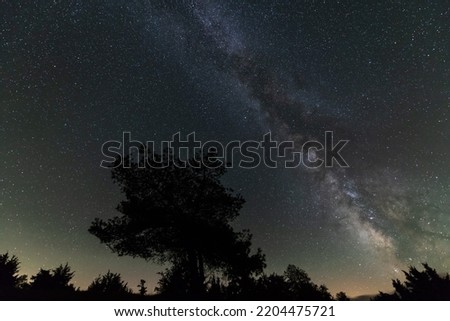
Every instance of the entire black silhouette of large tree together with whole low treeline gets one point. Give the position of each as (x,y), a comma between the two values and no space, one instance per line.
(181,216)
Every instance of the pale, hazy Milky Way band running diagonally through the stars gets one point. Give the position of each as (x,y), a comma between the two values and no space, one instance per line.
(371,206)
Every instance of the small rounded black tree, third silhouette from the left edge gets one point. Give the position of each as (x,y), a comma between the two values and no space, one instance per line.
(109,285)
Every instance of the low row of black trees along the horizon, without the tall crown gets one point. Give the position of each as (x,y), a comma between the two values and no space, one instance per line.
(293,284)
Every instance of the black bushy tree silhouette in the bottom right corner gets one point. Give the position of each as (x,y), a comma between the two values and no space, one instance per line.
(420,285)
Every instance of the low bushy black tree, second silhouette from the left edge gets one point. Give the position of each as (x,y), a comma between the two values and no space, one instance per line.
(53,283)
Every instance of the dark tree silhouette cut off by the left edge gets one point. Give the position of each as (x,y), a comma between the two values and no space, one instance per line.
(10,280)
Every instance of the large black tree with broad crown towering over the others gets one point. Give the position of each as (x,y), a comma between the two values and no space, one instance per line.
(180,214)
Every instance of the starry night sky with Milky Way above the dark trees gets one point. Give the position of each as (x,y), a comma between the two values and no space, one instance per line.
(75,74)
